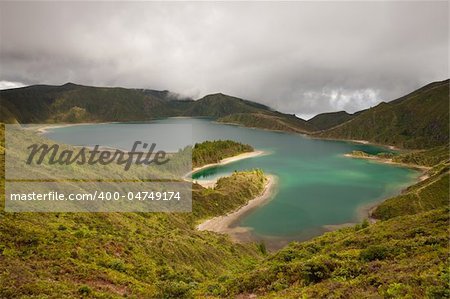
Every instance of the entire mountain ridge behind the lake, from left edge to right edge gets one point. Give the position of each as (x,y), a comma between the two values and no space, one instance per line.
(417,120)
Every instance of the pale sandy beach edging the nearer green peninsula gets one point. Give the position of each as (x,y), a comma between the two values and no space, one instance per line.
(224,224)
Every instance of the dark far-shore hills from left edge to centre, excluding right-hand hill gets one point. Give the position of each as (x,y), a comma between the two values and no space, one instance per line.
(71,103)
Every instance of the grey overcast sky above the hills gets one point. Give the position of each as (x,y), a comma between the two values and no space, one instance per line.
(297,57)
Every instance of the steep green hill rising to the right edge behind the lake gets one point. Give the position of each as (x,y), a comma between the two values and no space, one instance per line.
(418,120)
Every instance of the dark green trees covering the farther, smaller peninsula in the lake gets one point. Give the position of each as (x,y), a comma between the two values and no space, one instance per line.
(209,152)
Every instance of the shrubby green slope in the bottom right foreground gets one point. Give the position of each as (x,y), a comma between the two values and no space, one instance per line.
(406,257)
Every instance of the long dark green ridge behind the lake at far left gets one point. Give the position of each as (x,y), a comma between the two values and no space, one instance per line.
(76,103)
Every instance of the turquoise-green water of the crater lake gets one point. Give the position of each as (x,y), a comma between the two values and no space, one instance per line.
(317,185)
